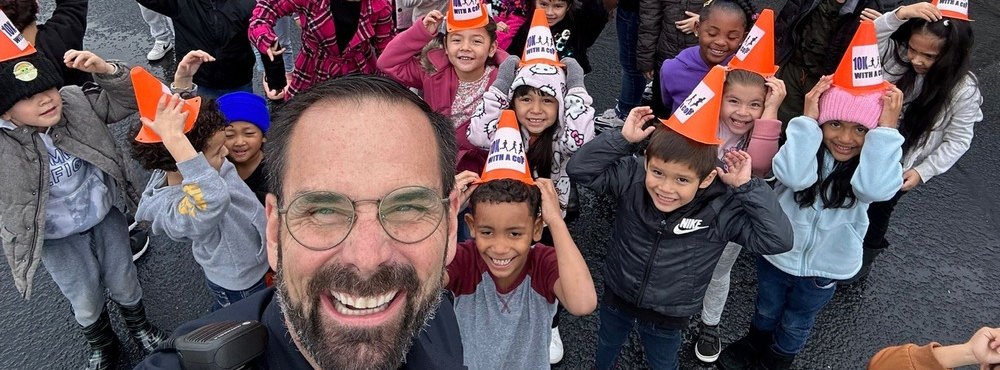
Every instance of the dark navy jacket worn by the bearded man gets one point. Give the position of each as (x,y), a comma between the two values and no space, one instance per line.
(438,346)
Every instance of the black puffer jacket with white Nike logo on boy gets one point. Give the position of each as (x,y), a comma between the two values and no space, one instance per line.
(664,261)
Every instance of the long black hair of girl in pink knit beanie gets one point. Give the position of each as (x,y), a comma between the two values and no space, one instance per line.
(835,189)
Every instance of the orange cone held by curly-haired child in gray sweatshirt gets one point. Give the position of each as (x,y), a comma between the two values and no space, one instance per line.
(148,90)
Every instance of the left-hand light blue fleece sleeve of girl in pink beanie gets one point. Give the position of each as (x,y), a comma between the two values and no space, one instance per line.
(795,164)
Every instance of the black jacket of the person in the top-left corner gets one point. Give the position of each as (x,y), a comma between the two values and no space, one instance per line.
(62,32)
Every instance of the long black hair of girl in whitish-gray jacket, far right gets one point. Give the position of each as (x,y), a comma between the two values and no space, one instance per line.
(947,72)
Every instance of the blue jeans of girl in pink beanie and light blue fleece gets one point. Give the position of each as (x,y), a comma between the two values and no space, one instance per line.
(788,305)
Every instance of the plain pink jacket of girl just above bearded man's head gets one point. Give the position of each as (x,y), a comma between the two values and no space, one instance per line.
(401,62)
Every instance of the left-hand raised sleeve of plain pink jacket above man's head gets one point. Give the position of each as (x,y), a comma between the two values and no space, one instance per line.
(400,59)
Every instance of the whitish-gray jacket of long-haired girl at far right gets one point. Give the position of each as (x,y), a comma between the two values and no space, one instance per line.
(951,134)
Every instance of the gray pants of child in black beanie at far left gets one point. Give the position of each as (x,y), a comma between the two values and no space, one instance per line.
(84,264)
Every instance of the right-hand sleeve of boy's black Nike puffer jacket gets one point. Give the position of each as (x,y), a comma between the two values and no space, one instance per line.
(757,221)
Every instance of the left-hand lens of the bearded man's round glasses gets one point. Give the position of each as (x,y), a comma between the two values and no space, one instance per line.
(320,220)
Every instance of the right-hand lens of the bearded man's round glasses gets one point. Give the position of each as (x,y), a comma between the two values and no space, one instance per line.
(411,214)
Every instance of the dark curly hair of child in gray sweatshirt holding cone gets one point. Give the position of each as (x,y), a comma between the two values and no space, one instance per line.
(154,156)
